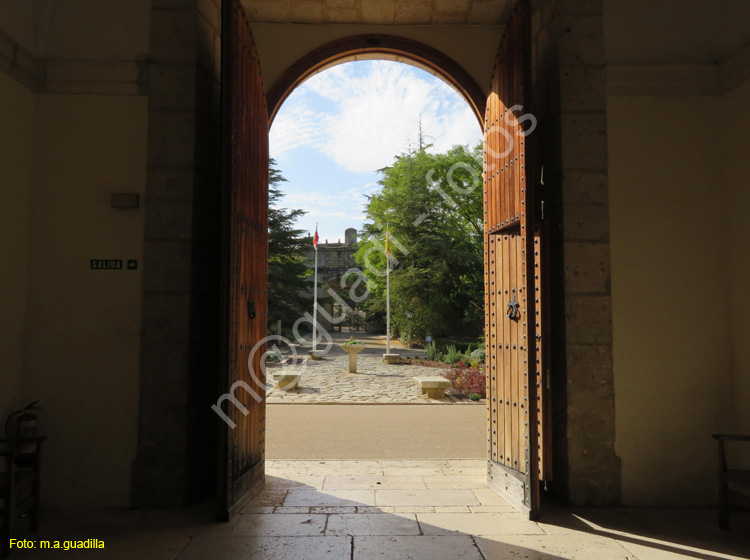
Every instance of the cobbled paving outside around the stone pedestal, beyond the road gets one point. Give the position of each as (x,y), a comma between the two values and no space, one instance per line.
(328,382)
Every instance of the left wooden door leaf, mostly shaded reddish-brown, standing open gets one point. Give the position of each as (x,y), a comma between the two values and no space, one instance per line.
(245,262)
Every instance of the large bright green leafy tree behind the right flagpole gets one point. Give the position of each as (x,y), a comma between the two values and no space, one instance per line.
(432,204)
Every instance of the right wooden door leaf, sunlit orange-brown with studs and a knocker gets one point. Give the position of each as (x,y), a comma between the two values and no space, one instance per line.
(513,279)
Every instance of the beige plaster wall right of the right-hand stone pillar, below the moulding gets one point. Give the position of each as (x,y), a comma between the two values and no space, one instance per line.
(680,316)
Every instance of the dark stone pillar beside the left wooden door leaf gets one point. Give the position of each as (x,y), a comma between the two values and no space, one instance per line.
(182,266)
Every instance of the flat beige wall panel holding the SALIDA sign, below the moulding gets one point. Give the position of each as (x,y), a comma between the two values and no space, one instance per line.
(82,325)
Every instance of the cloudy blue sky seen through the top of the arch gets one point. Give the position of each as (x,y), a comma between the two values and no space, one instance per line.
(339,127)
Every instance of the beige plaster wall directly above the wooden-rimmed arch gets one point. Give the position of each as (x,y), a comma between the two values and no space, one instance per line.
(473,47)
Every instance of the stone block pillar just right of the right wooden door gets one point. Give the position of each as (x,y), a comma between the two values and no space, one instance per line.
(570,102)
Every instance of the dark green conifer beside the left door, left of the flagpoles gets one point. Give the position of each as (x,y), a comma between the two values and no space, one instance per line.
(288,286)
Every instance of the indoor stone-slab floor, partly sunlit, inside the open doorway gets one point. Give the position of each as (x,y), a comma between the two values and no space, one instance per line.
(409,509)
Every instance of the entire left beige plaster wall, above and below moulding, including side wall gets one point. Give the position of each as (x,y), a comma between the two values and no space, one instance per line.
(70,336)
